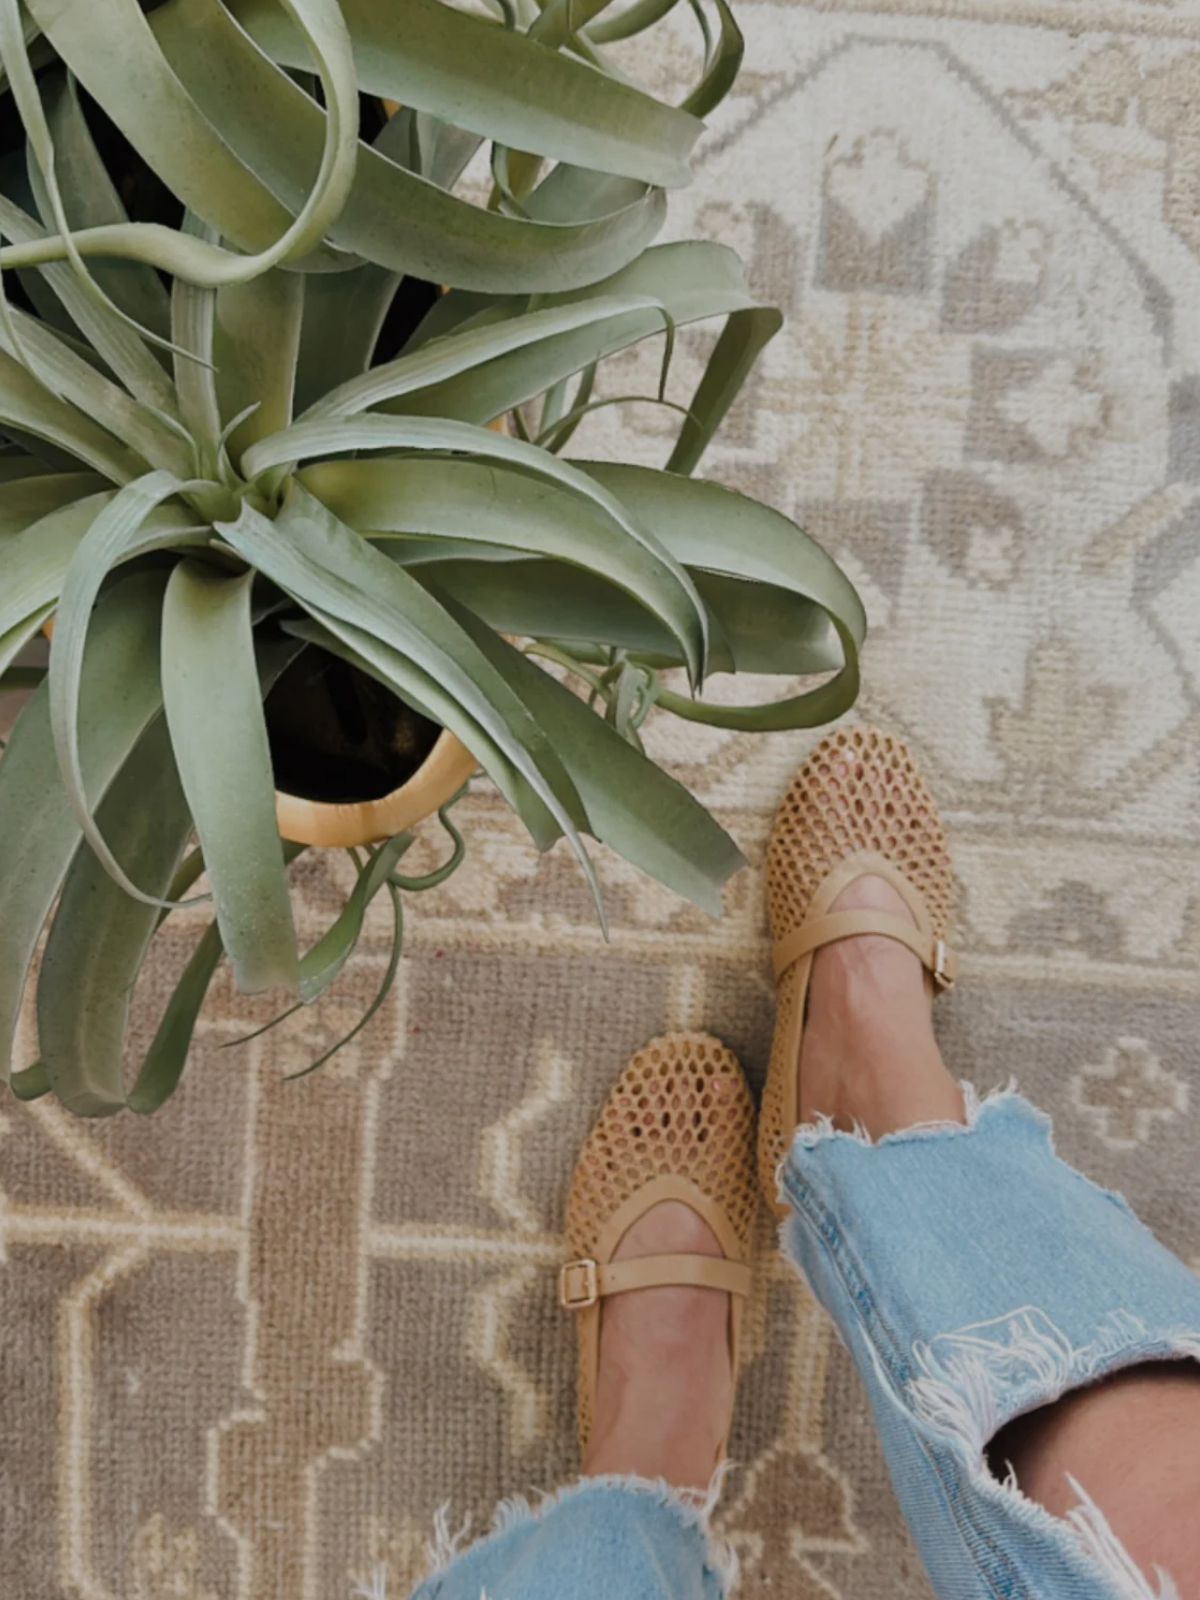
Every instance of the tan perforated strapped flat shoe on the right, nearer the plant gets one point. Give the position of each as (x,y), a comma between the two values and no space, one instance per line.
(857,809)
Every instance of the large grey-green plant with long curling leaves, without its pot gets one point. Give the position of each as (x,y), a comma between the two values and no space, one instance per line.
(214,462)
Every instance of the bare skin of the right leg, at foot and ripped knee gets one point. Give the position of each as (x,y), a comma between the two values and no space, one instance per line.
(1132,1441)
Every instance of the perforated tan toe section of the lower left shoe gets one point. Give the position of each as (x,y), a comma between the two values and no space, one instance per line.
(670,1118)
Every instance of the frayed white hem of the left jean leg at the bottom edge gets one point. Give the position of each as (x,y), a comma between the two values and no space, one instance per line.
(694,1508)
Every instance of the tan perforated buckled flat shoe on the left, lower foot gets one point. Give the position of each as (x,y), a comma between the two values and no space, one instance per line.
(666,1134)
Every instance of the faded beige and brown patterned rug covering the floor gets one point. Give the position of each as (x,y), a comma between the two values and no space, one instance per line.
(252,1346)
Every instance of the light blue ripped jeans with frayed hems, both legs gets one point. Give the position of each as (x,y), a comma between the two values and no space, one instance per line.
(974,1278)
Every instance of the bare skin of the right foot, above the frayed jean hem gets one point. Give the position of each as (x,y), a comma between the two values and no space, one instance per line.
(868,1054)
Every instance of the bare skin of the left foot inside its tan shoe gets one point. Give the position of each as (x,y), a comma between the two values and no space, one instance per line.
(665,1388)
